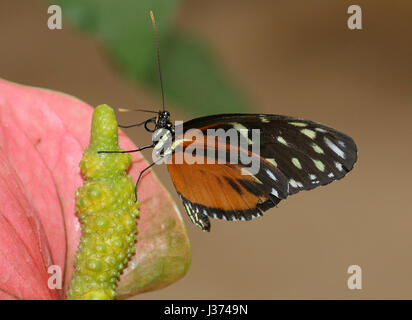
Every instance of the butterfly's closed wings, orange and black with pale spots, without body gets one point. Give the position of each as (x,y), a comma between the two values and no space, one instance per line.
(300,154)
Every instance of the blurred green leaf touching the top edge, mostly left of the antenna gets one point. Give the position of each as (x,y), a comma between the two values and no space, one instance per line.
(123,26)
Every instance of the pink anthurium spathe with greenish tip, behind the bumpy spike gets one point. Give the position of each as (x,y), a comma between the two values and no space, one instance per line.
(43,135)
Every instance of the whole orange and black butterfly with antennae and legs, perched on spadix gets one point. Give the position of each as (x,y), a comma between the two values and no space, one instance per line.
(294,154)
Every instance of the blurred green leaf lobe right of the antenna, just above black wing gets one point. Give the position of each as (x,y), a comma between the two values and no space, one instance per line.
(194,81)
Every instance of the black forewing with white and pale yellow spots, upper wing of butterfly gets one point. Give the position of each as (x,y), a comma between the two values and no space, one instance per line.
(307,153)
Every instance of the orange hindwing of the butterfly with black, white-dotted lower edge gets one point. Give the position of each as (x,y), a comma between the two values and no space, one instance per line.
(223,191)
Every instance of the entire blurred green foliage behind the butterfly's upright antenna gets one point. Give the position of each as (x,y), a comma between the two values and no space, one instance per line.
(192,78)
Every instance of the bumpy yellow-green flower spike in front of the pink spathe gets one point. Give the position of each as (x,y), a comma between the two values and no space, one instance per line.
(108,213)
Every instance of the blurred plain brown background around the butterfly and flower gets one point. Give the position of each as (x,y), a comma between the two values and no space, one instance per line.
(291,57)
